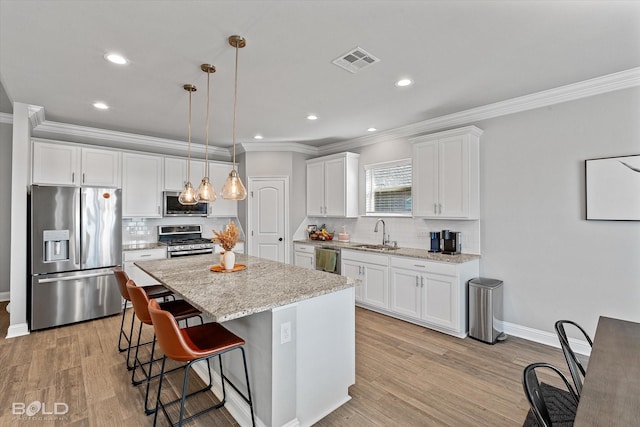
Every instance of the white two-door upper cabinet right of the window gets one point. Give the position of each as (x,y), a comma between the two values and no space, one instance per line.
(446,174)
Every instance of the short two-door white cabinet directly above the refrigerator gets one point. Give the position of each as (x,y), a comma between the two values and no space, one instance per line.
(65,164)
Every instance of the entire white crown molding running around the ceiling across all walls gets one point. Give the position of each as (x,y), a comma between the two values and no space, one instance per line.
(596,86)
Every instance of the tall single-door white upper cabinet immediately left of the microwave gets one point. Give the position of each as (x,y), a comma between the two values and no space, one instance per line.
(141,185)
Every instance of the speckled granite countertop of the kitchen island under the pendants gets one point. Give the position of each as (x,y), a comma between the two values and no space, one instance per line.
(262,286)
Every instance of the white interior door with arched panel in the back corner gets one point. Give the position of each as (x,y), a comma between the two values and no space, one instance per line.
(268,218)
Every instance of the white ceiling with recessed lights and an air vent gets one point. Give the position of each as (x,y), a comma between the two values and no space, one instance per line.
(460,55)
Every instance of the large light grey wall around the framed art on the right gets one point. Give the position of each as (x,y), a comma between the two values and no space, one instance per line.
(554,263)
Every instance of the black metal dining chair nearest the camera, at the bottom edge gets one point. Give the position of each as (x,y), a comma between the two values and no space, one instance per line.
(550,406)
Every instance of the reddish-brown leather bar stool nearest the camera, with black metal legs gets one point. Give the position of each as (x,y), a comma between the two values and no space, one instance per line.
(191,345)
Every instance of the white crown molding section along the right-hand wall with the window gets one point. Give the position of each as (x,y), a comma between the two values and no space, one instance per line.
(596,86)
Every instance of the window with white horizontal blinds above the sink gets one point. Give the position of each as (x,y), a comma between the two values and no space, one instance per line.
(388,188)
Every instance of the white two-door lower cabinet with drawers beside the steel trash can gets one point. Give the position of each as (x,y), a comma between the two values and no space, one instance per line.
(433,294)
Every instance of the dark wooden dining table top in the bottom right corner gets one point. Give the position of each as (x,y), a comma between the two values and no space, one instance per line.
(611,391)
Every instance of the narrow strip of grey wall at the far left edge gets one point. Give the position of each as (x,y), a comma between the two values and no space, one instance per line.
(6,131)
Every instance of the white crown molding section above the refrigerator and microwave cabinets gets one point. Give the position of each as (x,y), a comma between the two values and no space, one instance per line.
(129,140)
